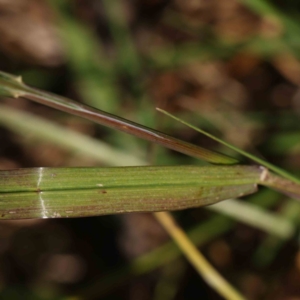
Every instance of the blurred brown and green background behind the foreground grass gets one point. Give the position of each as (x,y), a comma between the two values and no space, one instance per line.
(230,67)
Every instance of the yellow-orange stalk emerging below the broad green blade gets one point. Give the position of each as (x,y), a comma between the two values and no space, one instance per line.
(204,268)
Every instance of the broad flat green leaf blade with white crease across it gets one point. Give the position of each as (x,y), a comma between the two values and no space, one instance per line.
(78,192)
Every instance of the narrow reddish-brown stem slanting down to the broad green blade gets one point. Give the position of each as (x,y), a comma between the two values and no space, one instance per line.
(14,87)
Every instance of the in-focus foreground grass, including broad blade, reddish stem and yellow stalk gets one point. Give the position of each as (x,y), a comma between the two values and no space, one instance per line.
(54,193)
